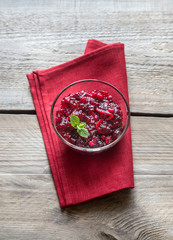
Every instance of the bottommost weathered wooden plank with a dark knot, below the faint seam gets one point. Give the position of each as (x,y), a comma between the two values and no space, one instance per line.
(29,209)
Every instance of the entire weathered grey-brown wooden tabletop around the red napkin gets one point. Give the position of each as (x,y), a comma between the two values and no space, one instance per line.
(40,34)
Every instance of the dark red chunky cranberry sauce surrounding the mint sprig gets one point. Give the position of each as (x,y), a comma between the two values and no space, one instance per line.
(102,116)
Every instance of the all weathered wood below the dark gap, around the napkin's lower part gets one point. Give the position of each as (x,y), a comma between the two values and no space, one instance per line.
(29,207)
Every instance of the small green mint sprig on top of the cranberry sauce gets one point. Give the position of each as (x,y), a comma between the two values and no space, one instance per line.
(80,126)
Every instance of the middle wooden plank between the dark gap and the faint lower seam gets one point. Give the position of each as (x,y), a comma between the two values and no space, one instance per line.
(22,149)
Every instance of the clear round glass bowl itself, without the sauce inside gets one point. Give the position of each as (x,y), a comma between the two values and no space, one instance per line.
(89,85)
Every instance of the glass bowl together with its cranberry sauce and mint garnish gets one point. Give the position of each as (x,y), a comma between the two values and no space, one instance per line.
(90,115)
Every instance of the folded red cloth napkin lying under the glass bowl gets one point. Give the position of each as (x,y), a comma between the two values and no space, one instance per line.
(77,177)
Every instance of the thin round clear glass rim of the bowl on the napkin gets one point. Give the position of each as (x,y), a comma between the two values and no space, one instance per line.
(91,149)
